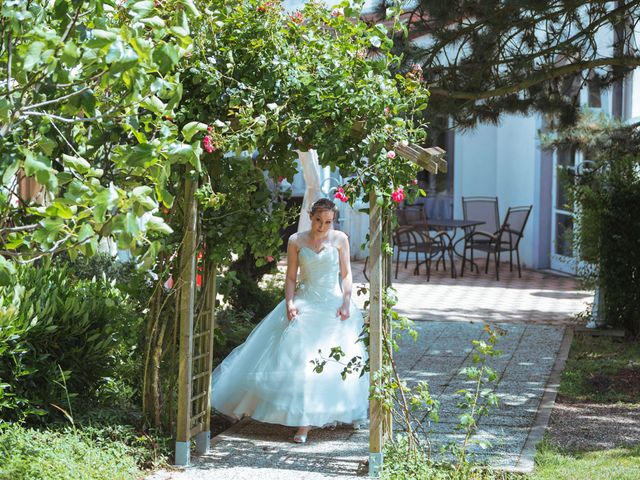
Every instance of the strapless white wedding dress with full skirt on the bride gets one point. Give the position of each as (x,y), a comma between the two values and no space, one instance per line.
(270,376)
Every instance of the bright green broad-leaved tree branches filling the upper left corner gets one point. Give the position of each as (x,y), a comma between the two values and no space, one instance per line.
(87,91)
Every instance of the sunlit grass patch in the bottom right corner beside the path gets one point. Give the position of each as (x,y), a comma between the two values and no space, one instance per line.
(556,463)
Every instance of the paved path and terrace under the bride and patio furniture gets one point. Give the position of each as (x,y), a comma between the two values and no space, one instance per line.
(534,311)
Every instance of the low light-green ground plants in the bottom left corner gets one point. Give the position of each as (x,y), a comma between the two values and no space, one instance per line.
(27,454)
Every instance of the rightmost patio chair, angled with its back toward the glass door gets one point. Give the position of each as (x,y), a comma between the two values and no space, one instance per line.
(506,239)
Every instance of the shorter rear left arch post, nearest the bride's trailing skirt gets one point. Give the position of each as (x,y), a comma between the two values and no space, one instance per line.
(203,439)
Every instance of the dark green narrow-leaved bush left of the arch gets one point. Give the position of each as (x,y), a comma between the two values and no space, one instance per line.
(51,320)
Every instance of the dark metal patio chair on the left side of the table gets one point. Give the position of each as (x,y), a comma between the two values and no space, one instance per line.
(413,235)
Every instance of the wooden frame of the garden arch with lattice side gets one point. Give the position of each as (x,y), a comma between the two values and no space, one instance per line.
(197,320)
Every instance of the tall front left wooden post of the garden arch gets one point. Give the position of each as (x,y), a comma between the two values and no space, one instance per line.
(186,306)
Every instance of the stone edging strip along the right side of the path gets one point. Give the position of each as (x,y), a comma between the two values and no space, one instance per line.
(526,462)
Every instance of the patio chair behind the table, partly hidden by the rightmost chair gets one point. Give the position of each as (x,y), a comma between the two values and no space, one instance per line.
(483,209)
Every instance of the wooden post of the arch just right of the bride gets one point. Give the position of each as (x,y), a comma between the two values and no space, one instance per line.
(375,334)
